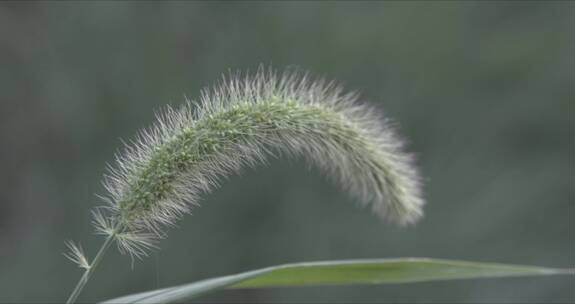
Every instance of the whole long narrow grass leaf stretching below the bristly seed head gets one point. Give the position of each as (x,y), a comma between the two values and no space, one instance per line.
(352,272)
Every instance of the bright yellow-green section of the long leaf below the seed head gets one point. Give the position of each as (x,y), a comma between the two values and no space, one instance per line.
(391,271)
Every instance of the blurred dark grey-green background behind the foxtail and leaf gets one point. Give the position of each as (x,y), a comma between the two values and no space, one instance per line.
(482,90)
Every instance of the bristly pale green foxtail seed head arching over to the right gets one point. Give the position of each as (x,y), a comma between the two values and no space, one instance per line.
(160,175)
